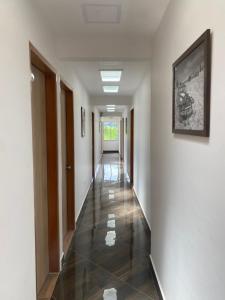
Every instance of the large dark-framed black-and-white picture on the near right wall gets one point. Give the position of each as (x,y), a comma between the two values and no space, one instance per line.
(191,89)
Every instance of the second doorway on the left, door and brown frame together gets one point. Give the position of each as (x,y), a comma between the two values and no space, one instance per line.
(67,134)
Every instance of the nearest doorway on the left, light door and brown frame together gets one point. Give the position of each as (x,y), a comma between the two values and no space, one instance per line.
(45,165)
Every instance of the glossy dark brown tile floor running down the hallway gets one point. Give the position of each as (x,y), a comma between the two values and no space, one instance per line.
(109,255)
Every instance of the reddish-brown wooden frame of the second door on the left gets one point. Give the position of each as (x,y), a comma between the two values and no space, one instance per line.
(70,183)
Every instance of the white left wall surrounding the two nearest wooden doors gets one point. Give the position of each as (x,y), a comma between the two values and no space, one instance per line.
(19,24)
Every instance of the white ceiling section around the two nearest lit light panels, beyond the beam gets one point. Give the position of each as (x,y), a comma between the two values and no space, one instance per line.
(133,73)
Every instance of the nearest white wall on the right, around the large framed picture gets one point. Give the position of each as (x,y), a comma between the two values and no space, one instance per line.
(188,173)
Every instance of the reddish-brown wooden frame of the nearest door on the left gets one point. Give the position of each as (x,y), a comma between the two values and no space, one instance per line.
(38,61)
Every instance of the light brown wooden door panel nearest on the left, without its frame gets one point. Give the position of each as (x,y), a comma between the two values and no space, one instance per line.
(40,175)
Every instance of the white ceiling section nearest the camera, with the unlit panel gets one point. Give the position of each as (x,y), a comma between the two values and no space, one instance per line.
(129,17)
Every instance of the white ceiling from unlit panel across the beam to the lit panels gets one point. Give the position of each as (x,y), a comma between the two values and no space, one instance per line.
(104,34)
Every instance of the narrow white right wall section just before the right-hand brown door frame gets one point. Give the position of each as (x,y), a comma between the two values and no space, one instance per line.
(142,166)
